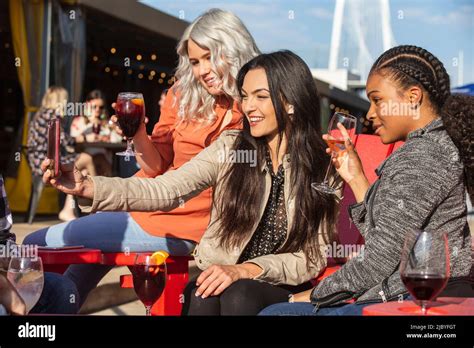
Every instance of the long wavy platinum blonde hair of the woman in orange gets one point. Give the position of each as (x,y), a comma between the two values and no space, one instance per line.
(231,46)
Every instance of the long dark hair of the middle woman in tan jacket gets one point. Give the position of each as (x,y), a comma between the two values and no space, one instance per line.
(290,81)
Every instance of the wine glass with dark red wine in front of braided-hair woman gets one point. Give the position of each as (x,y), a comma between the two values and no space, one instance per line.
(424,266)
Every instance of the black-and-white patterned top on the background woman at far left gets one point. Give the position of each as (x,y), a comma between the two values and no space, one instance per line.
(38,142)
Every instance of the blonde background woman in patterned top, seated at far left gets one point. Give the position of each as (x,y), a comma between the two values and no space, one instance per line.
(54,102)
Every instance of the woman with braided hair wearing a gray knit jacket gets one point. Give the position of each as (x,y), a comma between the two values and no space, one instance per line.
(422,185)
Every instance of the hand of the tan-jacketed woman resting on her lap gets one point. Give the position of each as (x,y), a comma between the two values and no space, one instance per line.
(214,280)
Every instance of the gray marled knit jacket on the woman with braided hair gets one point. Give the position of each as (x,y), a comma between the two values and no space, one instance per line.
(420,186)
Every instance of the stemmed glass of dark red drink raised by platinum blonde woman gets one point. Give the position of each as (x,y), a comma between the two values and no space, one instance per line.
(130,109)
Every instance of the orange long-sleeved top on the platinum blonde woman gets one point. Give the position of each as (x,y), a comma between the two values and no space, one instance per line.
(177,144)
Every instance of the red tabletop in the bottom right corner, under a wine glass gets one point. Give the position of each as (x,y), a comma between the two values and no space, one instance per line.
(442,306)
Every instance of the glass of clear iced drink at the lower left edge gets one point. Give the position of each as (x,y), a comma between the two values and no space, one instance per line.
(26,275)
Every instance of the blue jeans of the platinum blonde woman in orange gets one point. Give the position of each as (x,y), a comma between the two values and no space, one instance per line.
(109,232)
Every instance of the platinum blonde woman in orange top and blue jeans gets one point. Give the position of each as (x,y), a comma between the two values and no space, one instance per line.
(197,109)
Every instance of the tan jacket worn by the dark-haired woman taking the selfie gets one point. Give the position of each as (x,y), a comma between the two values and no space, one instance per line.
(168,191)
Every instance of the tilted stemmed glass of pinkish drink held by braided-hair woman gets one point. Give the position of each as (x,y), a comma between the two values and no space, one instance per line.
(335,142)
